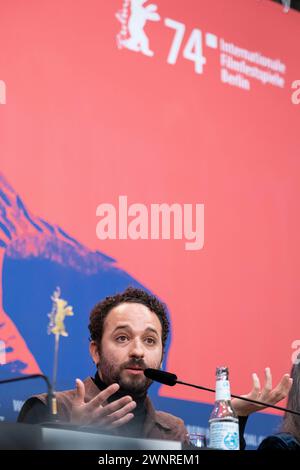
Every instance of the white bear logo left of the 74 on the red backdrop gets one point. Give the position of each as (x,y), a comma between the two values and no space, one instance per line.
(133,17)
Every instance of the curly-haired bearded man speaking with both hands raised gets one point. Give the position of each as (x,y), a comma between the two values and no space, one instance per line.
(128,333)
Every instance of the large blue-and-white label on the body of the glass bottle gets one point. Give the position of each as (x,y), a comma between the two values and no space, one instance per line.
(224,435)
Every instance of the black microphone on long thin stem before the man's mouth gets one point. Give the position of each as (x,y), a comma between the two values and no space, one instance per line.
(167,378)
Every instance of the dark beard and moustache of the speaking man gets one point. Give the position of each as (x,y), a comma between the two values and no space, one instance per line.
(135,385)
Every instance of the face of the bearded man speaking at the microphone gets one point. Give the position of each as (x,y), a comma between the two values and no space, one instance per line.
(131,342)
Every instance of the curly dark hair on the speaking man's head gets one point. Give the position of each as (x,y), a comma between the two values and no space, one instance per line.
(131,294)
